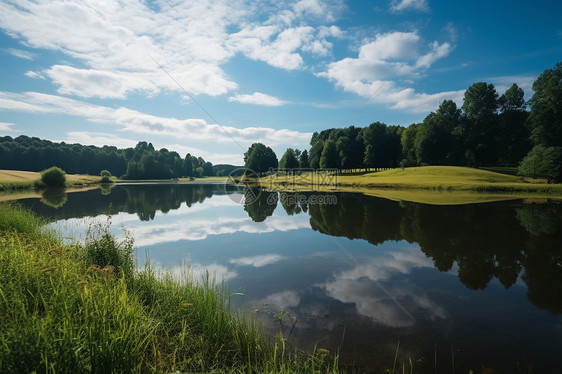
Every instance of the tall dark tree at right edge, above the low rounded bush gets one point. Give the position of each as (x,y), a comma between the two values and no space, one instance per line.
(546,114)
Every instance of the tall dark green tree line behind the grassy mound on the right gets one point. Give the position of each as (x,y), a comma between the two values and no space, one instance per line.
(489,129)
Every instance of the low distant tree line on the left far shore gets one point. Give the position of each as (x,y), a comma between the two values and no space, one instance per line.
(141,162)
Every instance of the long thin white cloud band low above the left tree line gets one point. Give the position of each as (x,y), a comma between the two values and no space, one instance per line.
(146,124)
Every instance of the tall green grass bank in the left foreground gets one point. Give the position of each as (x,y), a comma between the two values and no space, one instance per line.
(85,308)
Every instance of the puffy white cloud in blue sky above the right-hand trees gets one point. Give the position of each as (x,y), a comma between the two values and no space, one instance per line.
(382,63)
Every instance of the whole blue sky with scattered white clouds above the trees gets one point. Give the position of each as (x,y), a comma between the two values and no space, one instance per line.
(211,77)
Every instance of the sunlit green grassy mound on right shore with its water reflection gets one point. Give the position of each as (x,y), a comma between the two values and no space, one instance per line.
(433,184)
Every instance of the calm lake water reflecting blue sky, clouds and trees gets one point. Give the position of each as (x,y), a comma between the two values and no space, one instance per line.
(479,284)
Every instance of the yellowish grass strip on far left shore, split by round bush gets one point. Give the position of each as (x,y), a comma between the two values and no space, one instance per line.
(12,180)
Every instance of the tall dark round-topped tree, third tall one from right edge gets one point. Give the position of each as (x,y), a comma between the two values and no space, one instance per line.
(480,108)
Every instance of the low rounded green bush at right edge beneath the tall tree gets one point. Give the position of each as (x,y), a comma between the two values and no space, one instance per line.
(543,162)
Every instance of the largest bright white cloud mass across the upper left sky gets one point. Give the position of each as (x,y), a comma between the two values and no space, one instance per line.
(124,46)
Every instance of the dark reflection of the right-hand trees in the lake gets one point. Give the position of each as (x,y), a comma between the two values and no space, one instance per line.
(486,241)
